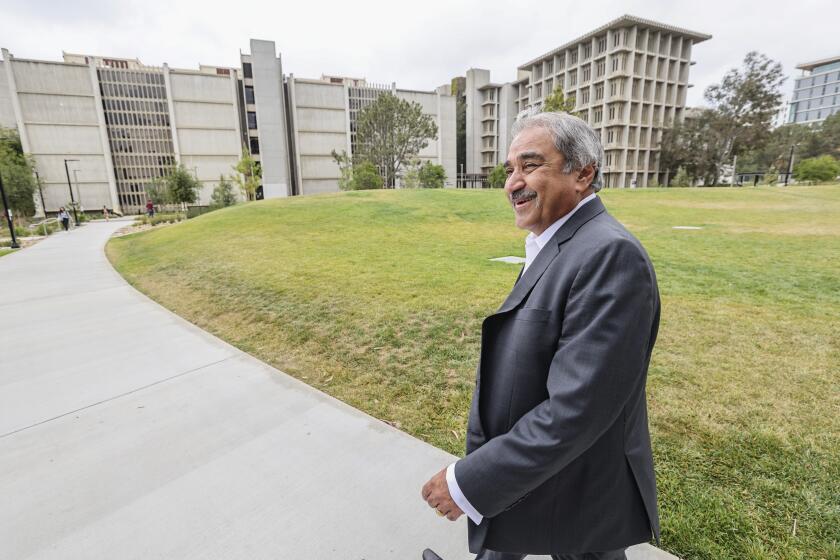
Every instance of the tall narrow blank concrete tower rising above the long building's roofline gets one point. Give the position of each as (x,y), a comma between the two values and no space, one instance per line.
(271,118)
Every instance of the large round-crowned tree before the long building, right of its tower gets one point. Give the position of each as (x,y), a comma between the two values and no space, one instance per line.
(390,132)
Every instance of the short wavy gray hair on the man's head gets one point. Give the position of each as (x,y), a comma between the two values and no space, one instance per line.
(576,140)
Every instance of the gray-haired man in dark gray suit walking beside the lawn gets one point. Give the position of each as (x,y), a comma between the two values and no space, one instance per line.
(558,450)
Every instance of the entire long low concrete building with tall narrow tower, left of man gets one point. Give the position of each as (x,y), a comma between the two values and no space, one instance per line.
(120,124)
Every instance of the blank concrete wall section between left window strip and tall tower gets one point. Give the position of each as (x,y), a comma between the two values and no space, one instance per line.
(206,122)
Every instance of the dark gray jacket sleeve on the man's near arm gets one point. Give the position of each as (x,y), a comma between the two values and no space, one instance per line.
(601,359)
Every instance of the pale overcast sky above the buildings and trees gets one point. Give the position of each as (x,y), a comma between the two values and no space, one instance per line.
(418,45)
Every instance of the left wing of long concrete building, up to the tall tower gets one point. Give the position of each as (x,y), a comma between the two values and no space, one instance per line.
(111,126)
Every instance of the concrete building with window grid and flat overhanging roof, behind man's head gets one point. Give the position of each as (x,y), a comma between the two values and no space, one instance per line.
(627,78)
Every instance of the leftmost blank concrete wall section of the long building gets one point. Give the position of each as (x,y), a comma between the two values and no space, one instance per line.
(59,120)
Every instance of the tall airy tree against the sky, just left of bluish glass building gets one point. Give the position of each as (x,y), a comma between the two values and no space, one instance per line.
(745,103)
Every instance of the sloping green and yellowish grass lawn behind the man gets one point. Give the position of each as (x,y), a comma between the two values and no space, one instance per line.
(377,298)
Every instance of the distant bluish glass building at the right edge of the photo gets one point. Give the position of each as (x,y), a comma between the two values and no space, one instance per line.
(816,94)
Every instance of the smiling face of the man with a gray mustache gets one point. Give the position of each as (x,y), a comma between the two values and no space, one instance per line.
(538,189)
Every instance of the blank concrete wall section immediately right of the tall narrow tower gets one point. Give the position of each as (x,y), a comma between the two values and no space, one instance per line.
(320,126)
